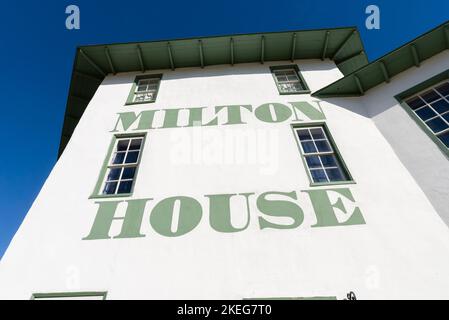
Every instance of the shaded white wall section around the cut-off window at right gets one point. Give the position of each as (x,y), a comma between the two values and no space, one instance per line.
(419,154)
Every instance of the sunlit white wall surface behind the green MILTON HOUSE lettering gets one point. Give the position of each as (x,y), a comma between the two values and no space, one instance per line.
(401,252)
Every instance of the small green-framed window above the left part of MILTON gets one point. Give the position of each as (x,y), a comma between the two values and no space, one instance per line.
(144,89)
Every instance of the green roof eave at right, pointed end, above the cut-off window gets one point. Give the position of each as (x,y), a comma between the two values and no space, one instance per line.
(388,66)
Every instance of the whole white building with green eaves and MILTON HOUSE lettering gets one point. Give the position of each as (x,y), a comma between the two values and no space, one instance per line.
(275,165)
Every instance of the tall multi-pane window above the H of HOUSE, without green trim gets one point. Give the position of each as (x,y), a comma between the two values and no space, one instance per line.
(123,165)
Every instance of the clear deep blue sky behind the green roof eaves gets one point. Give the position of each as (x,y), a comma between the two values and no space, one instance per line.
(38,52)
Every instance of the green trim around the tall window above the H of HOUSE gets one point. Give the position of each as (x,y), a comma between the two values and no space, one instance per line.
(96,194)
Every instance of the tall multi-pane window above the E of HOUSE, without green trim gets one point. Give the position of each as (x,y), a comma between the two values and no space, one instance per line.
(320,155)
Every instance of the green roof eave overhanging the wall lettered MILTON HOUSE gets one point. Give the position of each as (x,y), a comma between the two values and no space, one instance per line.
(93,63)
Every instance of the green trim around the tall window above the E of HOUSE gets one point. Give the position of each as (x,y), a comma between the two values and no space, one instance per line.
(335,149)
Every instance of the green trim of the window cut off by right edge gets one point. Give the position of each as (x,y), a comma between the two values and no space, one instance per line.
(401,97)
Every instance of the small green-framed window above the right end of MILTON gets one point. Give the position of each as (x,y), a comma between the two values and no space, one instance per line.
(289,80)
